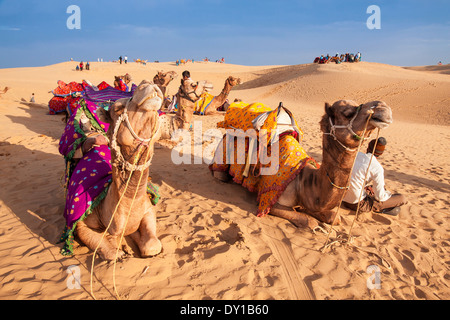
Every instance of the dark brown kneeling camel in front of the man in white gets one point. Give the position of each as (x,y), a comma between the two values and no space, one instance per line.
(317,191)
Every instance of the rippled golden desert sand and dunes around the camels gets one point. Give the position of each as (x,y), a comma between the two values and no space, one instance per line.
(214,247)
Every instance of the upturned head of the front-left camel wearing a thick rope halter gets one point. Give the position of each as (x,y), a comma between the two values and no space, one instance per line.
(133,121)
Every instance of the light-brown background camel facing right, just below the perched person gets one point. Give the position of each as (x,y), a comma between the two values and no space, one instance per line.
(188,93)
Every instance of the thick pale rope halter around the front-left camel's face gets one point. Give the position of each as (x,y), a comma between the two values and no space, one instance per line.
(120,160)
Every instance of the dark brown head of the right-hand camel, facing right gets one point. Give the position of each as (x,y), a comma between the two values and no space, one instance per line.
(345,120)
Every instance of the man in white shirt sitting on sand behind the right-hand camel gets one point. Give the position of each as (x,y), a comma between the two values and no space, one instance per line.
(376,197)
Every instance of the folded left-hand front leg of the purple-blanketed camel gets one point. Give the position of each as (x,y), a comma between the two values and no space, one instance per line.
(90,233)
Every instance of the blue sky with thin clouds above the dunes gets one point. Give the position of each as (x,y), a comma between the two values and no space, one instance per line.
(248,32)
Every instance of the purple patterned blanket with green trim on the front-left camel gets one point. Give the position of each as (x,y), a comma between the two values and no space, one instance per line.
(88,176)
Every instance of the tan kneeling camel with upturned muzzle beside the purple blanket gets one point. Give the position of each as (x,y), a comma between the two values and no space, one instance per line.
(134,125)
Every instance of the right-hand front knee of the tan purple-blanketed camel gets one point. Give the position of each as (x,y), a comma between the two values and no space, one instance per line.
(145,237)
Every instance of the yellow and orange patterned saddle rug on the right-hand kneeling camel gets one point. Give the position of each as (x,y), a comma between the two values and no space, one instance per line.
(291,157)
